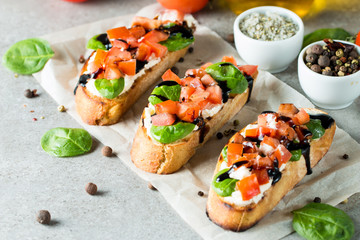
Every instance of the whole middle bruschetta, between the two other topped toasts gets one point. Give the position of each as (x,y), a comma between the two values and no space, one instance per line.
(183,114)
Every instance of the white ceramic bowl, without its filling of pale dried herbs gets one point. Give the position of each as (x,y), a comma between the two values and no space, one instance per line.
(272,56)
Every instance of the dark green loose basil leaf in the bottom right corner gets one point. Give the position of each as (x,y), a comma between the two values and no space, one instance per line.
(317,221)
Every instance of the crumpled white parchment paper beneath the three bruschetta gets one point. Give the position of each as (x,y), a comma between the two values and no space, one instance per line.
(333,179)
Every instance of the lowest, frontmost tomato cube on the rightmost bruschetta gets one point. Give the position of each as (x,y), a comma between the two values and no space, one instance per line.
(249,187)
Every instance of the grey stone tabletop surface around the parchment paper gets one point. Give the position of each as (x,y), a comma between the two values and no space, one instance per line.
(31,180)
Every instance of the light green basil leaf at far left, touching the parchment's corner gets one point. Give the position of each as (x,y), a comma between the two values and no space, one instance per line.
(28,56)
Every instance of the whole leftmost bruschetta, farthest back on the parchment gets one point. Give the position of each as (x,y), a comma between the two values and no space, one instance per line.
(126,62)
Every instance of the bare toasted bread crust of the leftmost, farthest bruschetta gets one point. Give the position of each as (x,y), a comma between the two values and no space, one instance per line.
(95,110)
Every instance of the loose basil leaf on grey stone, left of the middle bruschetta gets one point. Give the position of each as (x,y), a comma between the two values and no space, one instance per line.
(66,142)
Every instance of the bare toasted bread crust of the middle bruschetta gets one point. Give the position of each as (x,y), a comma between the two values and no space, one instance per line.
(154,157)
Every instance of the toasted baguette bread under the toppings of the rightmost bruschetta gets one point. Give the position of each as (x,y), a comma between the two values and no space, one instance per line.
(236,218)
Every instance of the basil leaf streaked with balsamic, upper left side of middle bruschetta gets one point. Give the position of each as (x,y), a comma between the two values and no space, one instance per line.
(169,92)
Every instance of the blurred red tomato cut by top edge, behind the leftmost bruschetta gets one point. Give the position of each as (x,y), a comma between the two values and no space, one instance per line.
(186,6)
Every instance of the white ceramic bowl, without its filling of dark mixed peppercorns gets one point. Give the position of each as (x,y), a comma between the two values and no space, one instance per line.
(329,92)
